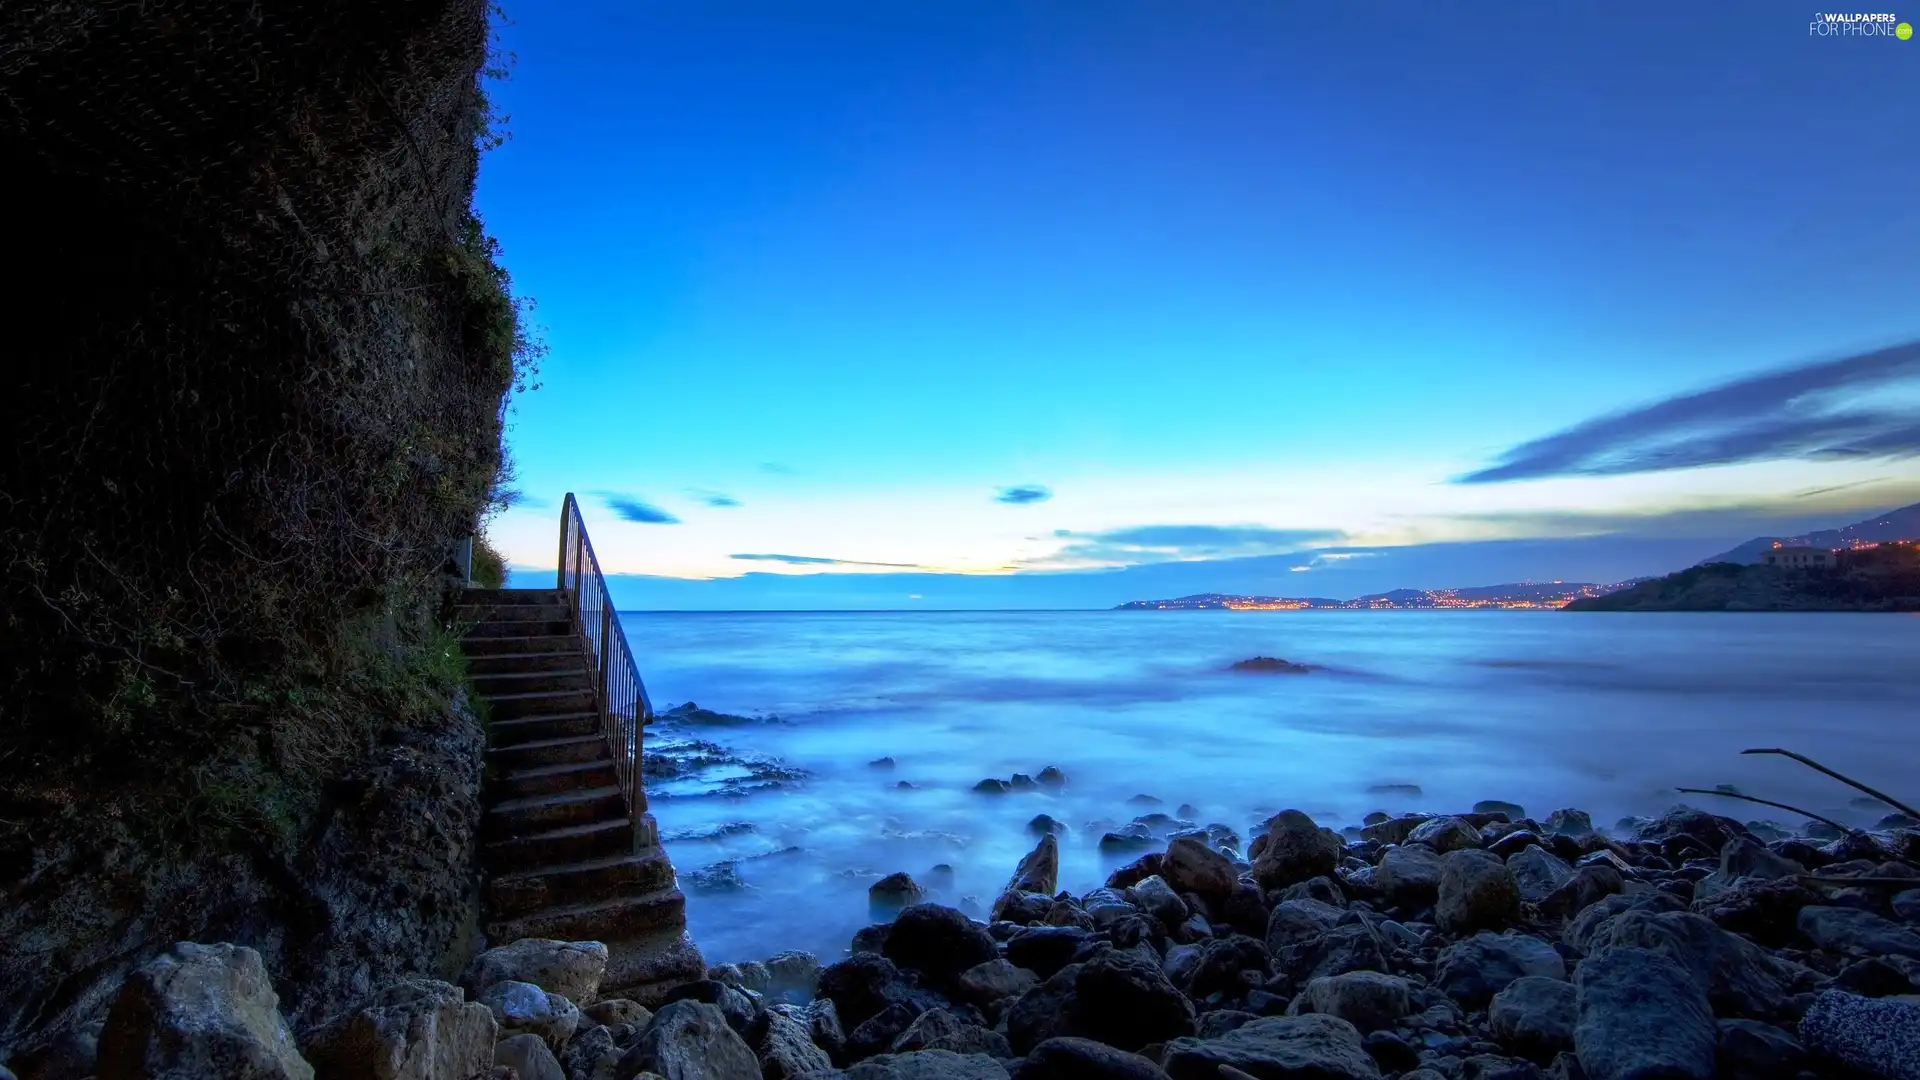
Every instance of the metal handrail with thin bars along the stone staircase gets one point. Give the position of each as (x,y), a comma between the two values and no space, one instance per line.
(623,697)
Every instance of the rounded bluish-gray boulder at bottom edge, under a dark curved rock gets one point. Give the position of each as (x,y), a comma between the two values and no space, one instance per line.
(1643,1018)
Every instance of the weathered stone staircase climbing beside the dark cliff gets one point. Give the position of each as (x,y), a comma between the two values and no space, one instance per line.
(564,854)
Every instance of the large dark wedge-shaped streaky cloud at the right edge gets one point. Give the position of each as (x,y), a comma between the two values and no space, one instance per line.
(1812,412)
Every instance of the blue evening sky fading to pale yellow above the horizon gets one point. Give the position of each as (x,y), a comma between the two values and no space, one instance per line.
(890,293)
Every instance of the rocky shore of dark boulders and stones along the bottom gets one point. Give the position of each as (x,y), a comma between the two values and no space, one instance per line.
(1476,946)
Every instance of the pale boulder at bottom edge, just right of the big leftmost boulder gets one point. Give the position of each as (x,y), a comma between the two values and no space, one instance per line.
(416,1029)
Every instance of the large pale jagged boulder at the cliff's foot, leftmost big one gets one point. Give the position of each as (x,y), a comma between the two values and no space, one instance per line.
(199,1012)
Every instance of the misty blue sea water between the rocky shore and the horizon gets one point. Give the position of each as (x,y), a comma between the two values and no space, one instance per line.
(1547,710)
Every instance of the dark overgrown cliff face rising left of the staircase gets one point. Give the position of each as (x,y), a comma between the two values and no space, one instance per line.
(260,355)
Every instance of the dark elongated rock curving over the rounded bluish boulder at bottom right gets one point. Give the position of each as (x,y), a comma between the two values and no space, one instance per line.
(1737,975)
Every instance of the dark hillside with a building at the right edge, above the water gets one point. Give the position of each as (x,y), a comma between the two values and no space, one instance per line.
(1873,579)
